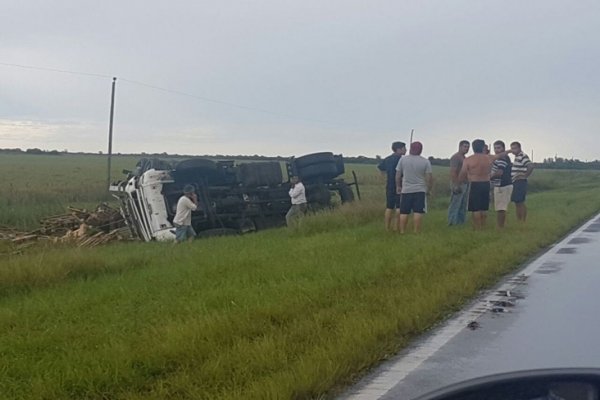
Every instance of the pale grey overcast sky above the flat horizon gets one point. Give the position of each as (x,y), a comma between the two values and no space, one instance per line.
(339,75)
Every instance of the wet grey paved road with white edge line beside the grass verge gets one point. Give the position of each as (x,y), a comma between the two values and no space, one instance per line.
(550,317)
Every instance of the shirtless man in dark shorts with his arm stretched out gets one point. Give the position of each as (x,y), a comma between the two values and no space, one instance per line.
(476,169)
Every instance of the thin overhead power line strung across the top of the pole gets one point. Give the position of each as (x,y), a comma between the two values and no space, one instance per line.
(173,91)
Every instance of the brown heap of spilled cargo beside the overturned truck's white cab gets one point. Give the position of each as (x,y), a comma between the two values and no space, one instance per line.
(78,226)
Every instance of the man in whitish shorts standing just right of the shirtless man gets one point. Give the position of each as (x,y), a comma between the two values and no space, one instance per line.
(502,183)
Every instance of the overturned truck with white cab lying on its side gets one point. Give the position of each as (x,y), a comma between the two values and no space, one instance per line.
(233,198)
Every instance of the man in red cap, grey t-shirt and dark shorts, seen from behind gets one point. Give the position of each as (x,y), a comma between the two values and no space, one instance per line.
(414,181)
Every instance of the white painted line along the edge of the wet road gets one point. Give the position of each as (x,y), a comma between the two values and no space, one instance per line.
(414,357)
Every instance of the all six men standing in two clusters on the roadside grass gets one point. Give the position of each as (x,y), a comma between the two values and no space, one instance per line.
(410,180)
